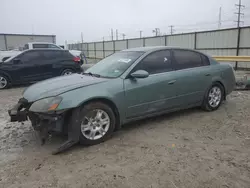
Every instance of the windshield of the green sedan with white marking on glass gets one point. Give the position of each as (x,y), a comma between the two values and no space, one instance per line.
(114,65)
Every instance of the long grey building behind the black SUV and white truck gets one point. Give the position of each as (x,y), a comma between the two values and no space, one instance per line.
(17,41)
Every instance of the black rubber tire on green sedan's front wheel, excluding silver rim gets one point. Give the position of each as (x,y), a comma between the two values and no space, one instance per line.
(94,106)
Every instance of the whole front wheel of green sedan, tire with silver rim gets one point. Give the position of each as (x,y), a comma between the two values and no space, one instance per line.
(90,110)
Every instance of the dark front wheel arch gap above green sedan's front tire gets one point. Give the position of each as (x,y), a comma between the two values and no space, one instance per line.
(108,102)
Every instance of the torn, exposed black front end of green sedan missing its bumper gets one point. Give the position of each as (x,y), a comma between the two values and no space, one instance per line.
(46,124)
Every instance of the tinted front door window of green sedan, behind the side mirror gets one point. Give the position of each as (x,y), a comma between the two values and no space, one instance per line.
(156,62)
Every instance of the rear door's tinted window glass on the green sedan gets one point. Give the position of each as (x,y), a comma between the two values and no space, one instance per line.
(185,59)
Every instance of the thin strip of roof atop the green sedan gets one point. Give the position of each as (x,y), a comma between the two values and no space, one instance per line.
(155,48)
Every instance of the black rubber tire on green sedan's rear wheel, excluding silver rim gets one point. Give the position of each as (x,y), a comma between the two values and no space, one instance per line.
(206,105)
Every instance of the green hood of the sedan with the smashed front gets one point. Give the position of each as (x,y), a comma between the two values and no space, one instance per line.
(58,85)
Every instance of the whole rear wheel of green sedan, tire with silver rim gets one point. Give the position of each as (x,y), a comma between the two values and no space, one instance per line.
(208,105)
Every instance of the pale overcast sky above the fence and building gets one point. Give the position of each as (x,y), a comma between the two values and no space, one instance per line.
(95,18)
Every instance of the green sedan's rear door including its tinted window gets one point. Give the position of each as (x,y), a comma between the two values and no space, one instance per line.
(193,76)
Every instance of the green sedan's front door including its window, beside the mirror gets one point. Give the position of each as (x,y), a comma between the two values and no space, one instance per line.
(156,92)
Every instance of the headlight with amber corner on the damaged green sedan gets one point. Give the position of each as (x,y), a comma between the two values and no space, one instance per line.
(46,105)
